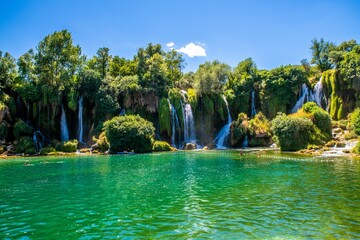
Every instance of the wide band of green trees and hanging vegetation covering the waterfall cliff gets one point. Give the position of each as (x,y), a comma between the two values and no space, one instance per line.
(34,87)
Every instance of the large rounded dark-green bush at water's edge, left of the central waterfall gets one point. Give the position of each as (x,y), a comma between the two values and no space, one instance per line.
(129,133)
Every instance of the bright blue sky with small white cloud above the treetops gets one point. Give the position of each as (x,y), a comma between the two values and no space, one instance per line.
(273,32)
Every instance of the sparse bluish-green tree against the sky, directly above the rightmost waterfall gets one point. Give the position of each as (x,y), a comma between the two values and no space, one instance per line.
(320,54)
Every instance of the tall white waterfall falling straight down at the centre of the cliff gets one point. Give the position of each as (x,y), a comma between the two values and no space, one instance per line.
(189,122)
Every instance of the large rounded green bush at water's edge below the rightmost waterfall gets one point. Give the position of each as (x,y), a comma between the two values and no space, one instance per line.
(292,134)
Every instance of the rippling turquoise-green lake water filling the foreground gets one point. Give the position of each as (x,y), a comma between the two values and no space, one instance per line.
(218,195)
